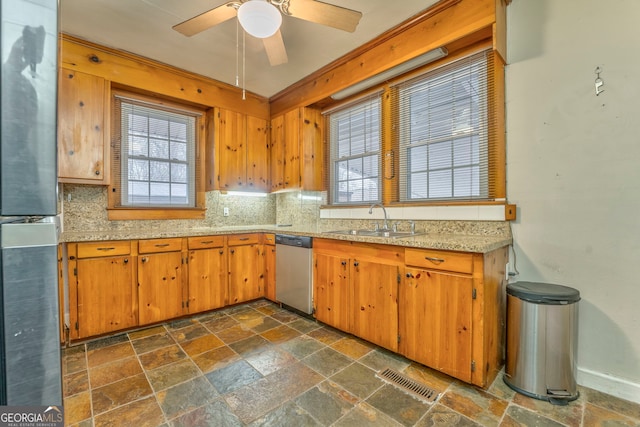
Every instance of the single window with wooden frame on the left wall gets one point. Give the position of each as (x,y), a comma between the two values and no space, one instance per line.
(154,161)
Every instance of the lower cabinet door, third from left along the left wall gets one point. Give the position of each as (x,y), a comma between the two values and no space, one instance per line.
(208,287)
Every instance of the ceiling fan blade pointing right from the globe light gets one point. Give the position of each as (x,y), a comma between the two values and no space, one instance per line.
(325,14)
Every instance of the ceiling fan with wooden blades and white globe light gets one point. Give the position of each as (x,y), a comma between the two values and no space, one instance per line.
(262,19)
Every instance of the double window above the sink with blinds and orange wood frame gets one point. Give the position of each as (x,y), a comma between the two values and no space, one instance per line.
(445,142)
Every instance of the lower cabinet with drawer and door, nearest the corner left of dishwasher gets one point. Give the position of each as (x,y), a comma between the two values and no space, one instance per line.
(244,262)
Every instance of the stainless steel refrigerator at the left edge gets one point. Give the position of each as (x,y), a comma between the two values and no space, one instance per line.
(30,352)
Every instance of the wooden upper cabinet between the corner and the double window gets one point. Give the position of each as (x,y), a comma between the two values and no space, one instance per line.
(297,144)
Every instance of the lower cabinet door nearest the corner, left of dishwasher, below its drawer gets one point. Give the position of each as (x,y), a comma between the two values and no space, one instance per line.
(244,273)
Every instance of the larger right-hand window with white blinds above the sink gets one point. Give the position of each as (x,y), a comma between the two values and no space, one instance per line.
(443,126)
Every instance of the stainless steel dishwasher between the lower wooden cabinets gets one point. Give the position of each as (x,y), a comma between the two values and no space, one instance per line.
(294,272)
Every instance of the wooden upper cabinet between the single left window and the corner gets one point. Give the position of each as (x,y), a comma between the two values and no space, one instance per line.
(242,149)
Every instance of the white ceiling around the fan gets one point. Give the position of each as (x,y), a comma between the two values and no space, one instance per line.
(143,27)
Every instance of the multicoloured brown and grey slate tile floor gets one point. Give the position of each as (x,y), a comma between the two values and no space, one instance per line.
(259,365)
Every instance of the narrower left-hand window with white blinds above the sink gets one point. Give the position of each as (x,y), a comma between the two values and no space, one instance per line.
(355,145)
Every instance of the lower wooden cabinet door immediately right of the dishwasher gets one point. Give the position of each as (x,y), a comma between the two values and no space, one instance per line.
(331,290)
